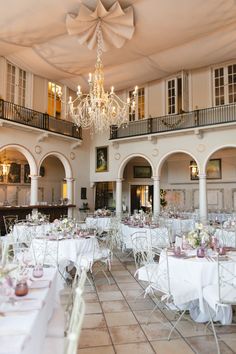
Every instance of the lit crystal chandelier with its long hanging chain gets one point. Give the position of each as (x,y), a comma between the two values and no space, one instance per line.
(98,110)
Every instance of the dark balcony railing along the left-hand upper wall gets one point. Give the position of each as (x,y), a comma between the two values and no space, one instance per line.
(22,115)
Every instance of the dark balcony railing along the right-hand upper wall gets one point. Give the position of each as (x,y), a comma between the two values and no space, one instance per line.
(199,118)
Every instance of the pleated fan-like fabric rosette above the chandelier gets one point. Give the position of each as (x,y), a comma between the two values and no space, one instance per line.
(117,25)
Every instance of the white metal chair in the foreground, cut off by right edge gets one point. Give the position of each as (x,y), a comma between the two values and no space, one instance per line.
(222,295)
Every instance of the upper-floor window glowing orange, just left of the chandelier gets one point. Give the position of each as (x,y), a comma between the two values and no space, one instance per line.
(54,101)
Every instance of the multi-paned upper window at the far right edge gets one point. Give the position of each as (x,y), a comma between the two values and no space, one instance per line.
(224,81)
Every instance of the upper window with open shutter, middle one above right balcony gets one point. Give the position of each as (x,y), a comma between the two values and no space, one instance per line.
(177,94)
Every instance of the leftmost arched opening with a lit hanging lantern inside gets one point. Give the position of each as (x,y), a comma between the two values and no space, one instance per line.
(16,164)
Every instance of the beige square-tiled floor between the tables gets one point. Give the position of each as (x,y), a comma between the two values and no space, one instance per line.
(115,321)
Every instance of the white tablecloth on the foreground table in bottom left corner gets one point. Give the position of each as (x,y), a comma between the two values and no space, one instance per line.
(23,332)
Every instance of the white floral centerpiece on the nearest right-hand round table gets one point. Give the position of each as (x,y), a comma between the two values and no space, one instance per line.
(200,236)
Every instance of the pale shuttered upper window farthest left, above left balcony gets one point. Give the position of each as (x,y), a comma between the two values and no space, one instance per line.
(16,85)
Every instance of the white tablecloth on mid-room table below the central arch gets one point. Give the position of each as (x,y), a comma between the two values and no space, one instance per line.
(158,236)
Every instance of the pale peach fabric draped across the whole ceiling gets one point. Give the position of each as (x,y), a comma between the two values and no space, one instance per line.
(169,36)
